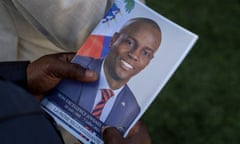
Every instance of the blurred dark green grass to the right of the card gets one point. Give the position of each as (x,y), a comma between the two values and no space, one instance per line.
(201,102)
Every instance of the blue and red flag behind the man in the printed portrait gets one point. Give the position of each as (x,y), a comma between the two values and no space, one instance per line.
(97,44)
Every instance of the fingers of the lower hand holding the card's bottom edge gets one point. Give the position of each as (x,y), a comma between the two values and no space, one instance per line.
(137,135)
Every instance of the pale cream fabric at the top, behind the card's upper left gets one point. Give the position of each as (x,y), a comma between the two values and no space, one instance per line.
(65,23)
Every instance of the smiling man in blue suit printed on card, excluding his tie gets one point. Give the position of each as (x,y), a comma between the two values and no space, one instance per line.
(131,50)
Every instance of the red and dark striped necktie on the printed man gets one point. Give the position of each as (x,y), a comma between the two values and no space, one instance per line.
(106,95)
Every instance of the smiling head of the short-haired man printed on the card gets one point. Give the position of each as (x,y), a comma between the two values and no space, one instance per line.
(131,49)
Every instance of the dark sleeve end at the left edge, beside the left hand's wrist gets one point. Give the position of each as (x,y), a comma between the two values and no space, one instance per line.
(14,72)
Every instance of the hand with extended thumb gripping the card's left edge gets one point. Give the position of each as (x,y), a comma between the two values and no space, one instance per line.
(46,72)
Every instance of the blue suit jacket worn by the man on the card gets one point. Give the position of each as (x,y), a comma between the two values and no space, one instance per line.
(125,108)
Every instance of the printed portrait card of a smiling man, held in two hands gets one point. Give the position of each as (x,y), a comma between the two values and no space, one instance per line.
(135,51)
